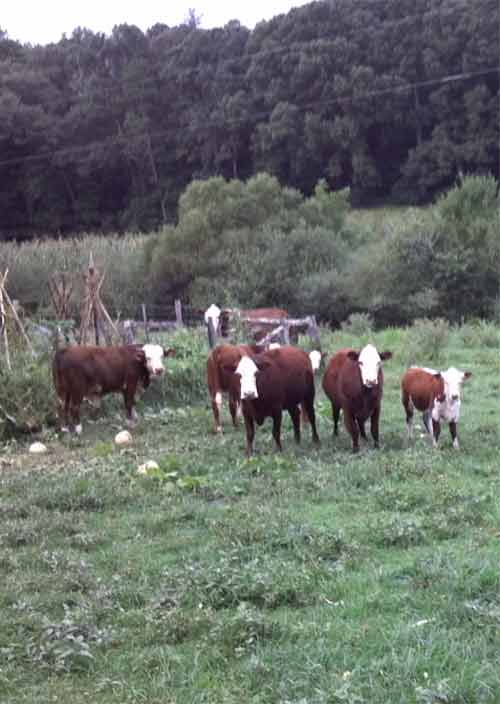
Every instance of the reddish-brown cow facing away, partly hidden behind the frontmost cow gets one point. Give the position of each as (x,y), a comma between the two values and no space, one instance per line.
(220,380)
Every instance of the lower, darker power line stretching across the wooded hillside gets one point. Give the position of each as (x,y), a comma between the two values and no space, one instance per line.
(400,88)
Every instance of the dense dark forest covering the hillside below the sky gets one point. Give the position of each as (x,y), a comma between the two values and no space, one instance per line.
(103,133)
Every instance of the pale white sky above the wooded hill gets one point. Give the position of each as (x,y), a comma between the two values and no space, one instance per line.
(44,21)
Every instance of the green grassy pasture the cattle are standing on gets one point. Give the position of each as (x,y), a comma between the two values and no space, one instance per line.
(309,577)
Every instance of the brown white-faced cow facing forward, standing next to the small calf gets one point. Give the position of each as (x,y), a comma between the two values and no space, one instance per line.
(354,381)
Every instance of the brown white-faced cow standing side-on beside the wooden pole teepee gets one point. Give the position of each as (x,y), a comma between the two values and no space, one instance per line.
(85,372)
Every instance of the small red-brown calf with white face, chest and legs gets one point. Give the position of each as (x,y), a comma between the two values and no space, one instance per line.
(437,395)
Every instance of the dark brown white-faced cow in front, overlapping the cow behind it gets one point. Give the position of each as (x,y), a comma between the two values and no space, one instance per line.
(271,382)
